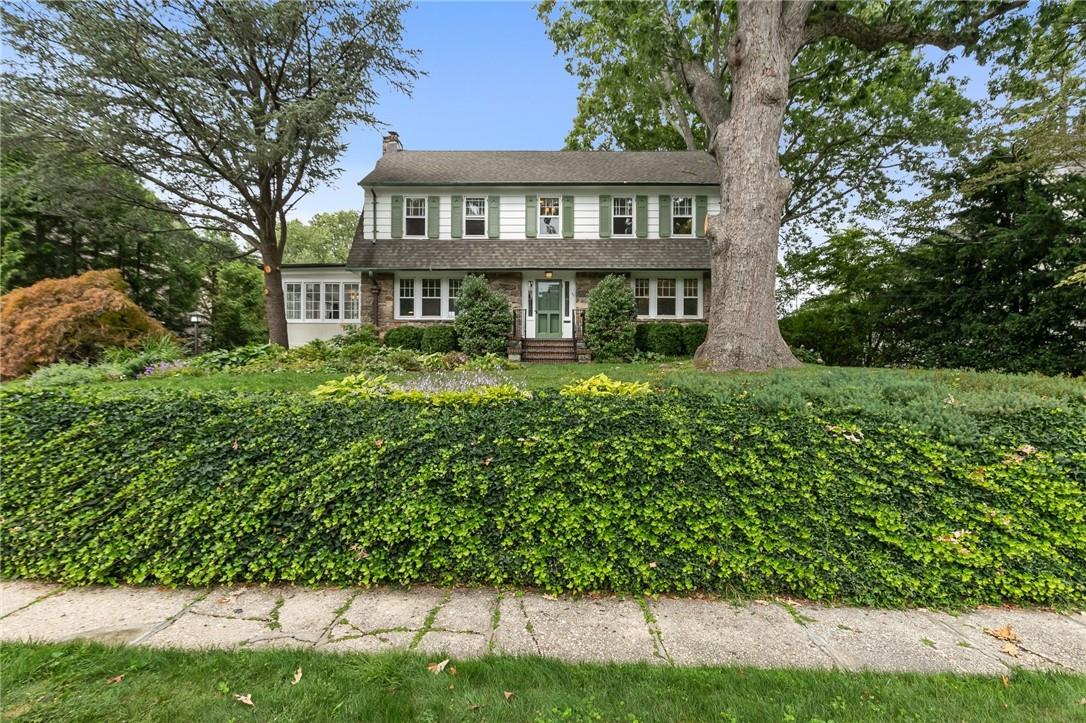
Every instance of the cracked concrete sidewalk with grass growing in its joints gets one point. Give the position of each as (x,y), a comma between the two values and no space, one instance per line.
(472,623)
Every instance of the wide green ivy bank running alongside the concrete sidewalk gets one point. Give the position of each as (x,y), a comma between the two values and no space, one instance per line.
(673,492)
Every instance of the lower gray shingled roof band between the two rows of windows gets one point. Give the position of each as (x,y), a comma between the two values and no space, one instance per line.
(495,255)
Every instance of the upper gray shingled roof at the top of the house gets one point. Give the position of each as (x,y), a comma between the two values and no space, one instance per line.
(544,168)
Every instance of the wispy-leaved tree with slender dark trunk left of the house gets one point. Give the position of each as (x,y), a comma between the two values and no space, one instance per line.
(233,111)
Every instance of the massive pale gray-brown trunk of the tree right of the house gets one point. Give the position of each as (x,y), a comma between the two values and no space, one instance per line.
(743,238)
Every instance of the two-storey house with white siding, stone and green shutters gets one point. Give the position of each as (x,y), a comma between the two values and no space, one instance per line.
(542,226)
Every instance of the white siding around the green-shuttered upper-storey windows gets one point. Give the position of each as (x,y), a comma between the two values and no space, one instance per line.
(586,207)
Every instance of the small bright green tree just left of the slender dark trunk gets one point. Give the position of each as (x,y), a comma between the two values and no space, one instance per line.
(237,307)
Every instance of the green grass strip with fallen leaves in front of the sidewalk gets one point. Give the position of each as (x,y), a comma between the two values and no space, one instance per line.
(71,682)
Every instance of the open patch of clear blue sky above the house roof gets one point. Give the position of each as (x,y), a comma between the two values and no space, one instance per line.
(494,83)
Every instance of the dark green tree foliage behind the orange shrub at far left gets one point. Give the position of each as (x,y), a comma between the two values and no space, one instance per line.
(65,213)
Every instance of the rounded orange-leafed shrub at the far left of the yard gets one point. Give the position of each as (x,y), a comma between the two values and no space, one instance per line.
(69,320)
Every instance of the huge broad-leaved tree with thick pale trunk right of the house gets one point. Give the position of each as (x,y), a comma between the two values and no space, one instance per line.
(752,71)
